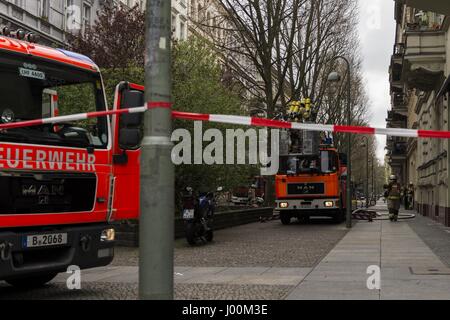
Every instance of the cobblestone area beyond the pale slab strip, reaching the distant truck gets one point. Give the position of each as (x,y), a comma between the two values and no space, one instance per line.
(257,244)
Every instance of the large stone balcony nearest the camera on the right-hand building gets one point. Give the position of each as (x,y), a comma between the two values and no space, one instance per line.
(425,54)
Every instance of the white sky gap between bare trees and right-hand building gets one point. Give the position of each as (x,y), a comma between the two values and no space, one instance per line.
(377,36)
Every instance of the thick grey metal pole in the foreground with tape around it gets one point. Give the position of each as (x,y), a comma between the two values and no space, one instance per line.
(156,231)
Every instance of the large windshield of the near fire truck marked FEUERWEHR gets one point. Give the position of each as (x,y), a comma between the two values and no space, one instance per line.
(34,89)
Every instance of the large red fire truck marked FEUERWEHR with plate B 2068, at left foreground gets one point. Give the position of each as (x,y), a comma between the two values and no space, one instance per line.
(62,185)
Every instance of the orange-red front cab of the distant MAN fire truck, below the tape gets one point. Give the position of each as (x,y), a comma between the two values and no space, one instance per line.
(314,185)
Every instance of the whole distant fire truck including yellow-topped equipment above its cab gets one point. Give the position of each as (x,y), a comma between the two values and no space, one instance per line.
(311,179)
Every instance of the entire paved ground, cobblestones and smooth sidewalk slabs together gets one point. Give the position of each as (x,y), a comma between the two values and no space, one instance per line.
(318,260)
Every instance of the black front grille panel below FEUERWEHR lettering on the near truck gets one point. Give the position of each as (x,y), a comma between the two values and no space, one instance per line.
(26,192)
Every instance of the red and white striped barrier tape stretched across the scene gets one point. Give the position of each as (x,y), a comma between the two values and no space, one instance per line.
(238,120)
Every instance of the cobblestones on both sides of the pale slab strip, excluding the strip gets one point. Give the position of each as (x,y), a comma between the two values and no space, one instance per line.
(267,244)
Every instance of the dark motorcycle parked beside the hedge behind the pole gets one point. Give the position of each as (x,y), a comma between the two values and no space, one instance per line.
(198,214)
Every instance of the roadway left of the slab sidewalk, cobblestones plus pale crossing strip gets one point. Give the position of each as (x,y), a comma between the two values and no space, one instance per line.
(254,261)
